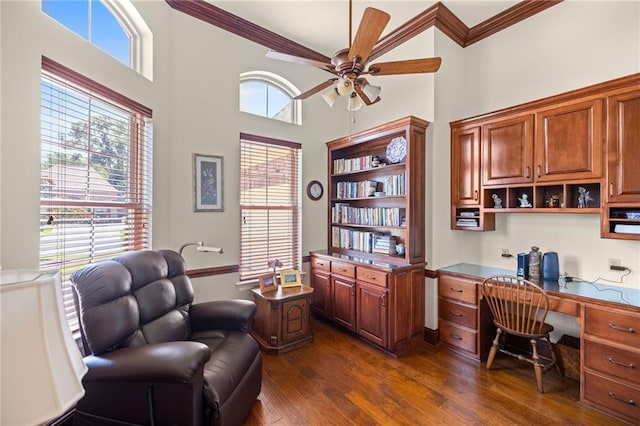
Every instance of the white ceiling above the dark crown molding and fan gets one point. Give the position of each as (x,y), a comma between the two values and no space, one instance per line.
(323,25)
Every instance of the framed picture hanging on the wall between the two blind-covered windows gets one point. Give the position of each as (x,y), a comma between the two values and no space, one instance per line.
(207,183)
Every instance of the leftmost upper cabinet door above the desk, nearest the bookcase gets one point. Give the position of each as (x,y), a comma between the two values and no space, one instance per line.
(465,166)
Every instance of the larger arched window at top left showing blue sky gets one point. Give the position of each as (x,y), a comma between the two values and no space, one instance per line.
(114,26)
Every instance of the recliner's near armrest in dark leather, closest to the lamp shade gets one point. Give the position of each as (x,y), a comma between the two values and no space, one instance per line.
(166,362)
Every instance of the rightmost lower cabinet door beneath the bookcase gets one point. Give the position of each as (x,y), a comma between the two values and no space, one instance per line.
(372,312)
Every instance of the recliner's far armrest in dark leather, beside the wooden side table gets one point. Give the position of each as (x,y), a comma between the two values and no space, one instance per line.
(234,314)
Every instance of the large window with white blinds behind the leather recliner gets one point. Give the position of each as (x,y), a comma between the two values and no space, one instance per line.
(95,174)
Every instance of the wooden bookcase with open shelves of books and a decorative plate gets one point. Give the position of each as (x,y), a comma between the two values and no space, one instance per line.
(357,218)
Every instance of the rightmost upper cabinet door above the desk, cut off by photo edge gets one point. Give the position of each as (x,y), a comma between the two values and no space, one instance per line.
(623,174)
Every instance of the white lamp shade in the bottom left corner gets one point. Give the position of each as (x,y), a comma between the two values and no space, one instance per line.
(41,364)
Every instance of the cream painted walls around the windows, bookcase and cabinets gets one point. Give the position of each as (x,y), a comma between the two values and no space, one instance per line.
(194,101)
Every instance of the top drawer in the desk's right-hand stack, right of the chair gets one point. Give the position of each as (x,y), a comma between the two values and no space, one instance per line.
(620,327)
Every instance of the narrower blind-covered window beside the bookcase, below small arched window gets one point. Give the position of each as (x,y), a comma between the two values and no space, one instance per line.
(270,204)
